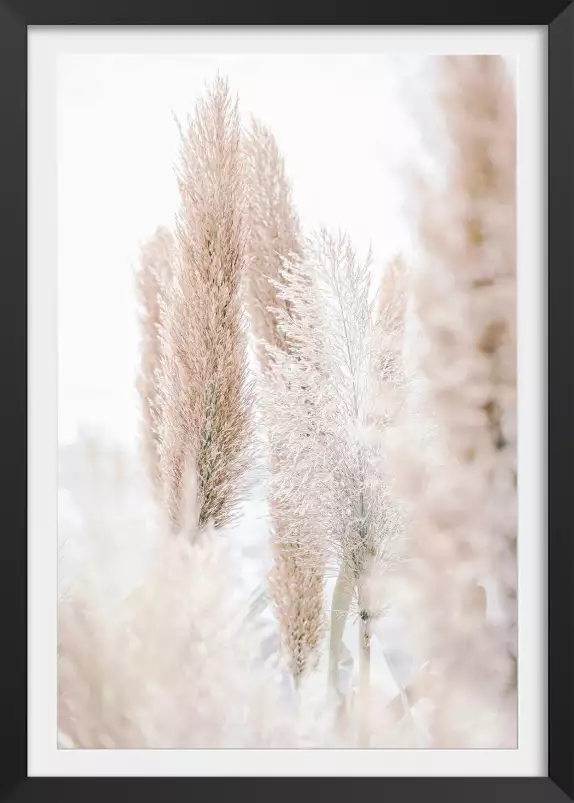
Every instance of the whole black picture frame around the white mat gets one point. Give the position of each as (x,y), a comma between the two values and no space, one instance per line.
(15,17)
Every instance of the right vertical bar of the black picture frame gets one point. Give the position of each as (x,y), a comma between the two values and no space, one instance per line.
(561,399)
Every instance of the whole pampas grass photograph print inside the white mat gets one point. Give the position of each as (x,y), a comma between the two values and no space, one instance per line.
(287,494)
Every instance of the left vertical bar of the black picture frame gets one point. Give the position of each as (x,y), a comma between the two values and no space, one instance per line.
(13,358)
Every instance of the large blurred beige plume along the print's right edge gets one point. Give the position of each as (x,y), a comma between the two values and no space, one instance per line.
(460,595)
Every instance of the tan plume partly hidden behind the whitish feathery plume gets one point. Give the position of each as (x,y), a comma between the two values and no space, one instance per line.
(295,587)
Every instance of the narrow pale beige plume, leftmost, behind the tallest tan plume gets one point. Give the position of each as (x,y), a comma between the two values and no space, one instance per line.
(156,265)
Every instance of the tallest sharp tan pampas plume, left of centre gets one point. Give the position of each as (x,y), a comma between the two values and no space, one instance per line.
(205,401)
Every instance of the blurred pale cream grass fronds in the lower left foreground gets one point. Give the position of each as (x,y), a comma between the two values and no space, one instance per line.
(170,660)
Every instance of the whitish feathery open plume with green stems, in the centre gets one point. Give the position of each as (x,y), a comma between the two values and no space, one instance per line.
(331,475)
